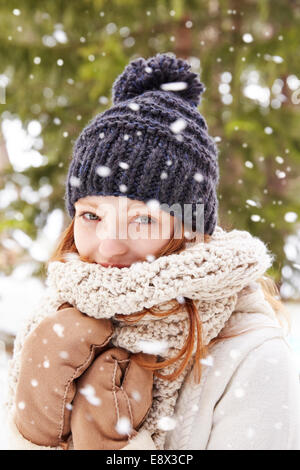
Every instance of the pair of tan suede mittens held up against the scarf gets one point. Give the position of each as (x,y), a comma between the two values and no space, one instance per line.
(88,391)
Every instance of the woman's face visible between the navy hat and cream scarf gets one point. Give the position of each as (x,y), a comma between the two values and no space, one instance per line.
(120,231)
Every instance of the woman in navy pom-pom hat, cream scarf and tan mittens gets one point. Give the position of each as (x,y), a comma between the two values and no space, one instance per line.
(156,335)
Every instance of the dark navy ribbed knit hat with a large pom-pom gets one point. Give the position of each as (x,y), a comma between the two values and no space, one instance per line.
(152,144)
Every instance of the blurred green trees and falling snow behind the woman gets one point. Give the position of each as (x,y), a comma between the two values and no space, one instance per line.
(58,60)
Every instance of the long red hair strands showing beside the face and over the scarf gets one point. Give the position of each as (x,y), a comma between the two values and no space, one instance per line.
(176,244)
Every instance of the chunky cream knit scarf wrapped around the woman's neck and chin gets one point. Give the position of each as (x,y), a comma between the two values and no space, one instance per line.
(211,273)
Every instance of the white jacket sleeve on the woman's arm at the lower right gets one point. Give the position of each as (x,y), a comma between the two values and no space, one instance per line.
(260,408)
